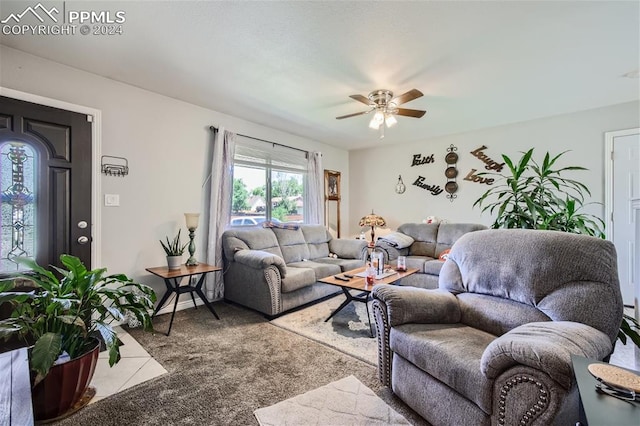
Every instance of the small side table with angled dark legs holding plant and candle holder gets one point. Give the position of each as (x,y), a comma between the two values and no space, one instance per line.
(172,278)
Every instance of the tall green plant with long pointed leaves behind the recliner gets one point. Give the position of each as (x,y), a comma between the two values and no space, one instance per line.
(535,195)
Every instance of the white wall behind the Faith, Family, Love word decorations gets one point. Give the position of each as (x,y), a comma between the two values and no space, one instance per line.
(374,172)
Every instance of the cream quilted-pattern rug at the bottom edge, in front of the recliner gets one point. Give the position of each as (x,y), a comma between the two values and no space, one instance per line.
(344,402)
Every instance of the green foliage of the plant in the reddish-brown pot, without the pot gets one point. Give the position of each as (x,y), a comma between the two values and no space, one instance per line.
(67,307)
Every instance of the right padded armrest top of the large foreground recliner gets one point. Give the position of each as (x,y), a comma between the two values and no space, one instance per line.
(545,346)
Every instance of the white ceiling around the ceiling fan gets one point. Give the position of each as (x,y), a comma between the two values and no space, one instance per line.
(292,65)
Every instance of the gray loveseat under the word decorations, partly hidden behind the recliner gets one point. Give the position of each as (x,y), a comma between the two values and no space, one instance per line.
(426,242)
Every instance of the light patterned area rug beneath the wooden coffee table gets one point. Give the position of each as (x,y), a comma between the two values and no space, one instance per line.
(348,331)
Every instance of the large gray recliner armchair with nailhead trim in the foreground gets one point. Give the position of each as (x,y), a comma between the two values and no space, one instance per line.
(493,344)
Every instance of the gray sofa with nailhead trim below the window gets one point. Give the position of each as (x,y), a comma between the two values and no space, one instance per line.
(274,270)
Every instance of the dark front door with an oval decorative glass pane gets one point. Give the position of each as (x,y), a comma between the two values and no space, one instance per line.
(45,183)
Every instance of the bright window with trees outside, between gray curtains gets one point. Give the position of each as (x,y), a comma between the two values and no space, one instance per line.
(268,183)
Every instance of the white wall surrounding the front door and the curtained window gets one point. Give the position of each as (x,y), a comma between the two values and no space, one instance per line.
(165,141)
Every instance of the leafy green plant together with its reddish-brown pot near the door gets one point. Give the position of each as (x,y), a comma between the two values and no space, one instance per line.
(59,319)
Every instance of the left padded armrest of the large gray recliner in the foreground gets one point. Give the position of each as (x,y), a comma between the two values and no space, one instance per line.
(416,305)
